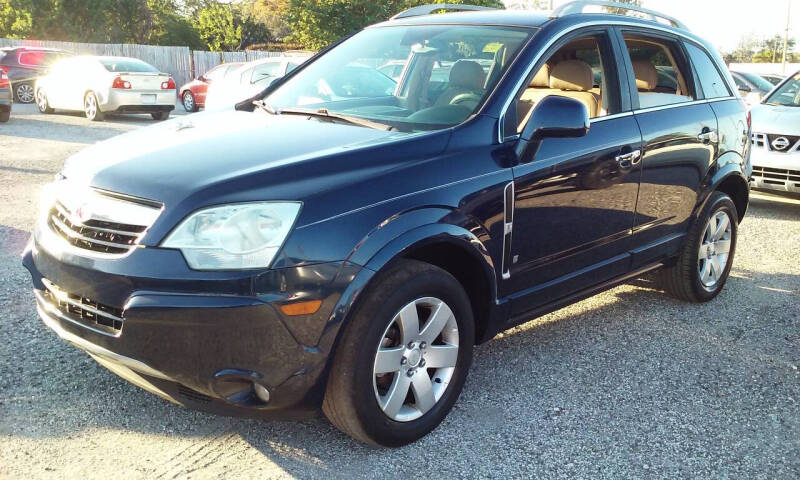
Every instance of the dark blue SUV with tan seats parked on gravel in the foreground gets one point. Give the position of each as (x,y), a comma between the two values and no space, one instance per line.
(309,248)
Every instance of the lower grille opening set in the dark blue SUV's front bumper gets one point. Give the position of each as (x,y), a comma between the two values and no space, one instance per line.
(84,310)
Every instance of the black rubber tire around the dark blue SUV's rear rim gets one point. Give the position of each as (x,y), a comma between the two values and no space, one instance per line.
(683,279)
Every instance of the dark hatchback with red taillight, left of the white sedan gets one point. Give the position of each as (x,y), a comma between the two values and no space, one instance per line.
(24,65)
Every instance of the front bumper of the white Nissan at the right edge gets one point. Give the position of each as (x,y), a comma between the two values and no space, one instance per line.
(775,170)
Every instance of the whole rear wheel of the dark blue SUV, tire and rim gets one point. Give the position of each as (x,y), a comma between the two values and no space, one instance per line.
(705,262)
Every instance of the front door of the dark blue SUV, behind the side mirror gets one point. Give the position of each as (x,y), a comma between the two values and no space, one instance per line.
(574,202)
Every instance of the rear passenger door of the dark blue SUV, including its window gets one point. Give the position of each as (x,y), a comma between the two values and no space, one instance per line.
(680,135)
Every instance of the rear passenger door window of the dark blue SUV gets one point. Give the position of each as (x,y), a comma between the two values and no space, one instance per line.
(662,76)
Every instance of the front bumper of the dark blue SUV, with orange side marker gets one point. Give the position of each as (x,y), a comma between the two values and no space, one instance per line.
(203,340)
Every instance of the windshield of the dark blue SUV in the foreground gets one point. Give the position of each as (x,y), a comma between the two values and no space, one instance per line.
(446,72)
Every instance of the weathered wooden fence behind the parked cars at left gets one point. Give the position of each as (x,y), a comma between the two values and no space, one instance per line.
(180,62)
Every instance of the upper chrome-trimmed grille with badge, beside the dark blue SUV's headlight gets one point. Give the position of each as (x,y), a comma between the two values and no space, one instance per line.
(95,235)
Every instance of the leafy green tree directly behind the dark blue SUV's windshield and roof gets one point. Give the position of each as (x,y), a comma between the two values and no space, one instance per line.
(318,23)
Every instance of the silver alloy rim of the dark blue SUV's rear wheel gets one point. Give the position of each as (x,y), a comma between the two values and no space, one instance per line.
(714,249)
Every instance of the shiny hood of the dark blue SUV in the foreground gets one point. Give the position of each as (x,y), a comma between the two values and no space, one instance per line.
(171,161)
